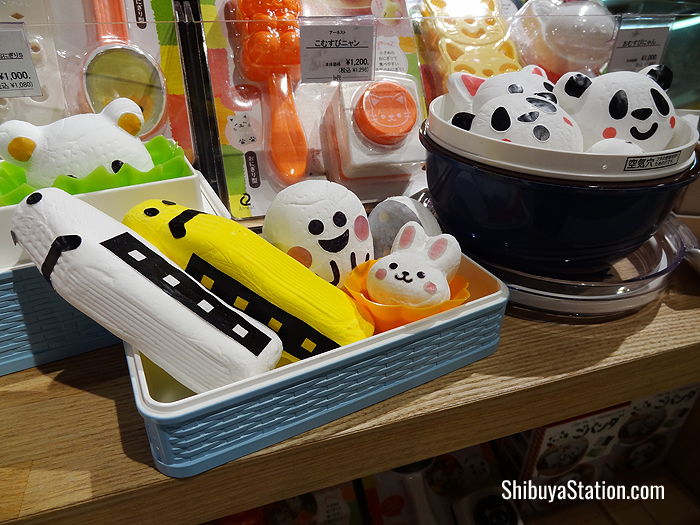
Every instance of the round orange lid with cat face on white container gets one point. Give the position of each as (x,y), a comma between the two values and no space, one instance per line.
(385,112)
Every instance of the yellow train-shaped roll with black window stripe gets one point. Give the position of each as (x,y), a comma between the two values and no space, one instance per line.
(310,315)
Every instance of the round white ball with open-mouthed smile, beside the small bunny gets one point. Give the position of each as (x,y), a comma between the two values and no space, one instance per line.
(321,224)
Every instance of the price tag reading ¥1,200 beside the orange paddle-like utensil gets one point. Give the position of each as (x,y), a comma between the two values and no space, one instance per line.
(333,50)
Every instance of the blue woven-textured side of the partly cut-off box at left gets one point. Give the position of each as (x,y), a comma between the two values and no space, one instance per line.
(37,326)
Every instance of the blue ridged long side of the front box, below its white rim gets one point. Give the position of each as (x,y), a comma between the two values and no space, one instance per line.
(215,434)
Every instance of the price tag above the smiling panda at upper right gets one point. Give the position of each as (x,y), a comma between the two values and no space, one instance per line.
(638,47)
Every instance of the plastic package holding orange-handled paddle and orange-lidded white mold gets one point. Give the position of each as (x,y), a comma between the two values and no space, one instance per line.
(355,145)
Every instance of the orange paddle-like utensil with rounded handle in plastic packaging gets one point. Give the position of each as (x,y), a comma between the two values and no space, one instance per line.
(270,54)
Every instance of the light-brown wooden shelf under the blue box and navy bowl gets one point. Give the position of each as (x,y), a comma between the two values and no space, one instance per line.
(74,448)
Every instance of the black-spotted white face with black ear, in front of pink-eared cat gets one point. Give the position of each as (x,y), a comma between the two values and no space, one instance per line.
(524,119)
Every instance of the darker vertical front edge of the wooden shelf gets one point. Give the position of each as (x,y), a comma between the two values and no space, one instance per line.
(308,463)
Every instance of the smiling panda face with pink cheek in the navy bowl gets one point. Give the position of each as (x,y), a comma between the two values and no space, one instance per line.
(624,105)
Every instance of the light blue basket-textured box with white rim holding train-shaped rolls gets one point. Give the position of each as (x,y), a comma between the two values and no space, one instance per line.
(196,433)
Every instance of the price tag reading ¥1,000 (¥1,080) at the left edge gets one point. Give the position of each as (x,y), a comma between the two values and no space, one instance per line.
(18,76)
